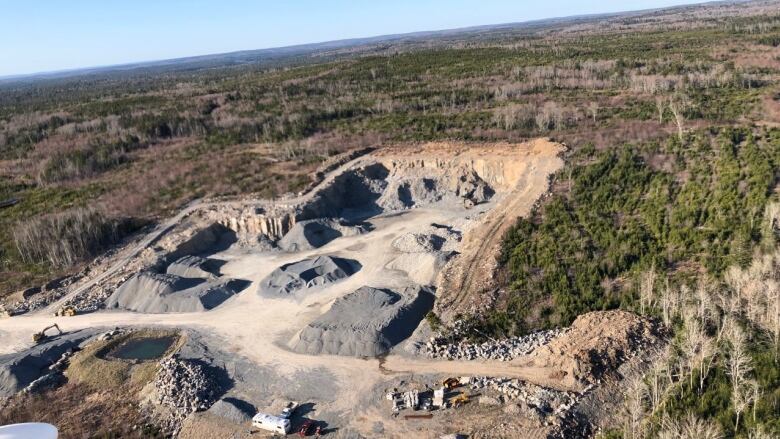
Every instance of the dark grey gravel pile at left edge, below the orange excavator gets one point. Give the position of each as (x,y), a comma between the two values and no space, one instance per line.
(19,369)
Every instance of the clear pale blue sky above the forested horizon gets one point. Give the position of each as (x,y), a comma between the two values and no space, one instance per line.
(50,35)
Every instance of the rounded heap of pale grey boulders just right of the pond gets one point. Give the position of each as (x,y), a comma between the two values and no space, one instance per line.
(184,387)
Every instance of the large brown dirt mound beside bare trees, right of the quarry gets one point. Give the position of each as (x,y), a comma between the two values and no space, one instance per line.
(596,344)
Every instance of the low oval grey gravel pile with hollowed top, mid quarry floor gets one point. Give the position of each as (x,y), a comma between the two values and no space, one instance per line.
(305,274)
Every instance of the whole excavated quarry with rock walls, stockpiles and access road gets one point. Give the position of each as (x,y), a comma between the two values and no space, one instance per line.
(339,271)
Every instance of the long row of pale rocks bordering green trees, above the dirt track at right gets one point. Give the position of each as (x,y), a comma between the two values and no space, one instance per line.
(503,350)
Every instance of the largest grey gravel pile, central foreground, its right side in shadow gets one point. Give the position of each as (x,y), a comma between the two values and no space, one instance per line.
(366,323)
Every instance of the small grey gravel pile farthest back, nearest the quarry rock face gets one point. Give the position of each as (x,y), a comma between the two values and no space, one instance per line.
(312,234)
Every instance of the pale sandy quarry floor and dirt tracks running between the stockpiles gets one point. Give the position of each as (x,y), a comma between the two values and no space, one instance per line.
(259,328)
